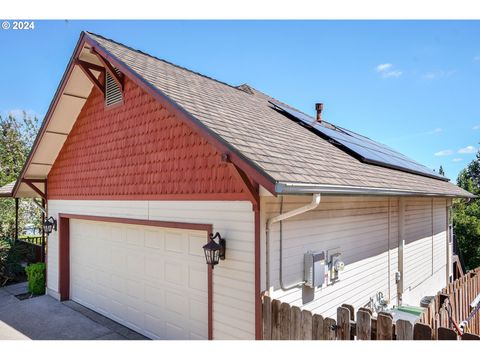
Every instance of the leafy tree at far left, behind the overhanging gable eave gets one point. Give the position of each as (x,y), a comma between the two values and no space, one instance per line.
(16,138)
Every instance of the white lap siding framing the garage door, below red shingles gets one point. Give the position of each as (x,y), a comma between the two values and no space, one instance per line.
(233,279)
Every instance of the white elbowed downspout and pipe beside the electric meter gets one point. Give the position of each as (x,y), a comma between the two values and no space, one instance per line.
(312,205)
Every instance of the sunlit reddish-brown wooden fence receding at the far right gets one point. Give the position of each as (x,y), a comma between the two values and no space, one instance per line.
(455,298)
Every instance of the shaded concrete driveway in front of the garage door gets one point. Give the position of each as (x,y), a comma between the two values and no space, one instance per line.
(44,318)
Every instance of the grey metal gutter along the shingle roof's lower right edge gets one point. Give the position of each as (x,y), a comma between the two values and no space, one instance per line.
(290,188)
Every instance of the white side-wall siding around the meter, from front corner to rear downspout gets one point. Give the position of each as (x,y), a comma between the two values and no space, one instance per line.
(358,226)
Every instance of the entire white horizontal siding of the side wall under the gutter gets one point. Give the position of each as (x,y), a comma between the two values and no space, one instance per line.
(365,229)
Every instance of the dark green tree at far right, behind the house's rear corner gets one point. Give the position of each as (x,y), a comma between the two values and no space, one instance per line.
(466,217)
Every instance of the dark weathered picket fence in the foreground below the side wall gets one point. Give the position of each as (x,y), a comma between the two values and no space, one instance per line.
(284,322)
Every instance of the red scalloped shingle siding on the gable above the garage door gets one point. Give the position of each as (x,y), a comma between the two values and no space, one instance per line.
(138,151)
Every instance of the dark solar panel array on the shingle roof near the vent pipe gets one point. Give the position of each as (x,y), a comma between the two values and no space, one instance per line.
(361,147)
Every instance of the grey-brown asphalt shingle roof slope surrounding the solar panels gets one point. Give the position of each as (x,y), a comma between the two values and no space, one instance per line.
(280,147)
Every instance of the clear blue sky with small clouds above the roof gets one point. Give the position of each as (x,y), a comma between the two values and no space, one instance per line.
(412,85)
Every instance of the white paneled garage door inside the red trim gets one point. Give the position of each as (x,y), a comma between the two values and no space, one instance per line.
(150,279)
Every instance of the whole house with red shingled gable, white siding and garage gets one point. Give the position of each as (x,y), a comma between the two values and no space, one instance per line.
(140,160)
